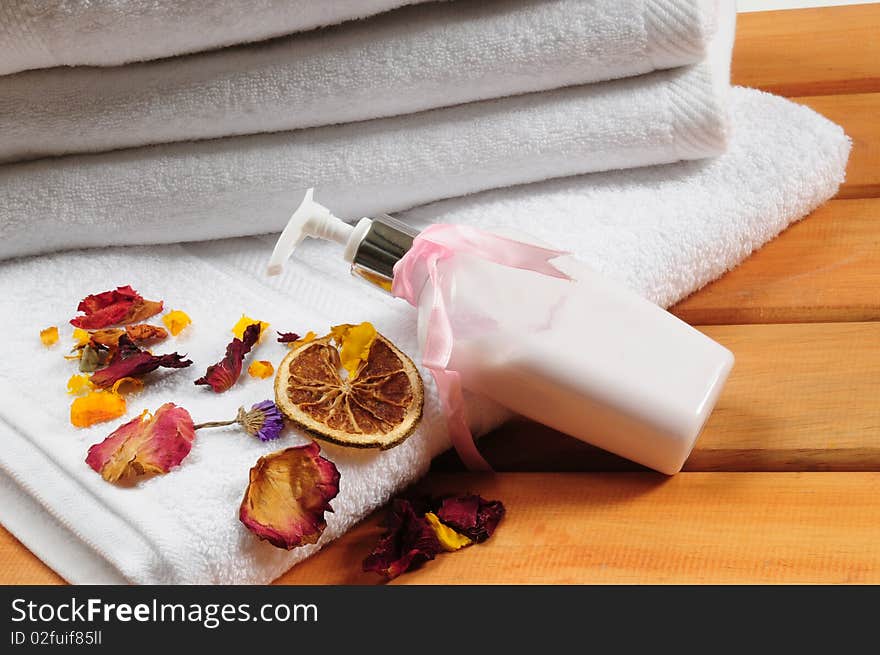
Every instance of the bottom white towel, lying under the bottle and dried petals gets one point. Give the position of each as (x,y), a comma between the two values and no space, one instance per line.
(665,231)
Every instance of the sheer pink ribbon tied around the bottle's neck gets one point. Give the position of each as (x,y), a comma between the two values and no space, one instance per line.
(434,244)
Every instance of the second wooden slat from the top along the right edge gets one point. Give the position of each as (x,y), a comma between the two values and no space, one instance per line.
(858,114)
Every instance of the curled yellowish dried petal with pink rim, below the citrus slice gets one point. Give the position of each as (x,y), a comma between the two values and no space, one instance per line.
(288,494)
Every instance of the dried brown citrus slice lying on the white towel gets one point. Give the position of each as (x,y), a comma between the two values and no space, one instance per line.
(377,407)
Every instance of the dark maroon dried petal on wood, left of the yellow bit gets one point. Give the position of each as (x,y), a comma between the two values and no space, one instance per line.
(409,541)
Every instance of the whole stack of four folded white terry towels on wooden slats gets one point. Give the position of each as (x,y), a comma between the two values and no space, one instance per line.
(615,120)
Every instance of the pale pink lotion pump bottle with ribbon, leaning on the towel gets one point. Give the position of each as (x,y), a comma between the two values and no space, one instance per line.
(537,331)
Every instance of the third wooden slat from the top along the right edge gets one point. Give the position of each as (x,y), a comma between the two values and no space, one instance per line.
(823,269)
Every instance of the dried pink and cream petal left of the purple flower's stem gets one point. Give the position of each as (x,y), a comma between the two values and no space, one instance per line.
(144,445)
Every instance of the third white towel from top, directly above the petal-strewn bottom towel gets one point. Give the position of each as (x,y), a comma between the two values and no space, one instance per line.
(247,185)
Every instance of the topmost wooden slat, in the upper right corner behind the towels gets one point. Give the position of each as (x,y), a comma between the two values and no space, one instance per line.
(821,51)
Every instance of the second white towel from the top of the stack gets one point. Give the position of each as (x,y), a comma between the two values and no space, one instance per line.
(413,59)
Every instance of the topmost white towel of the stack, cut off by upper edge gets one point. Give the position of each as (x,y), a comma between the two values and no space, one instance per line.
(45,33)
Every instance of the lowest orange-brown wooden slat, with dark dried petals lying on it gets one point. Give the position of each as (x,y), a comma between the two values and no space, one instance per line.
(644,528)
